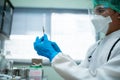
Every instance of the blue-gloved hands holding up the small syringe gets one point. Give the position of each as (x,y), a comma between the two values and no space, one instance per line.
(46,48)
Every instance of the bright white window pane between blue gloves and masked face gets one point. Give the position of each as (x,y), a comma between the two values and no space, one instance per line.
(73,32)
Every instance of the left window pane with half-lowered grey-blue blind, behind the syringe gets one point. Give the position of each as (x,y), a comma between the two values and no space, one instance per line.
(27,24)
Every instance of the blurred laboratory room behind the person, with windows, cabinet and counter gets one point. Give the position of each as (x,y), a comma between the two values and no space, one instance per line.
(22,20)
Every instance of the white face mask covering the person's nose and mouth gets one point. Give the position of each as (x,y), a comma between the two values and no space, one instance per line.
(101,23)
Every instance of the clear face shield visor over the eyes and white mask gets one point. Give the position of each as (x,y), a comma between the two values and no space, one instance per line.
(99,22)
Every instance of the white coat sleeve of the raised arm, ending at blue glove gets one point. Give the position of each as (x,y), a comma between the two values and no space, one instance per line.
(69,70)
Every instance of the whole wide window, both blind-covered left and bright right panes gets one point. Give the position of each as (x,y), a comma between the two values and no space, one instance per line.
(72,31)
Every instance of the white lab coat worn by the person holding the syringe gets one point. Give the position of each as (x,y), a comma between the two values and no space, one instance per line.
(98,68)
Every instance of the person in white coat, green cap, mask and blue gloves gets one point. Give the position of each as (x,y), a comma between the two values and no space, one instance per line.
(102,61)
